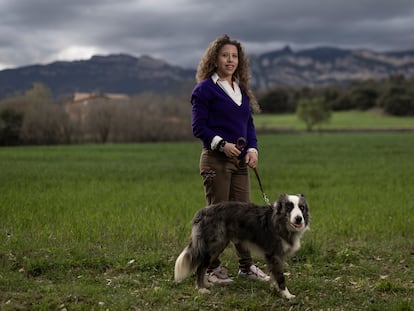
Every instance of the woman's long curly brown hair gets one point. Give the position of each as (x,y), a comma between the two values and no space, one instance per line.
(207,66)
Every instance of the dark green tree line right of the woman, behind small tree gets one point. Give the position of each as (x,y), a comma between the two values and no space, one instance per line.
(394,95)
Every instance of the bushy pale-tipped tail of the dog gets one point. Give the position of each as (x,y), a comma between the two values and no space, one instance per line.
(189,258)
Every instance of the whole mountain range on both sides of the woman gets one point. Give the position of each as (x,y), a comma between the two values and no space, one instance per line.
(130,75)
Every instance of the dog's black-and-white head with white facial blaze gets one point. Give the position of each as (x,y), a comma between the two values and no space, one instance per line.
(294,211)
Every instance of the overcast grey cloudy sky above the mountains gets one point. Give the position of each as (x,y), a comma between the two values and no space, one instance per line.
(178,31)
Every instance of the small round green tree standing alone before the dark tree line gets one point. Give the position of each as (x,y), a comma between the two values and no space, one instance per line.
(313,111)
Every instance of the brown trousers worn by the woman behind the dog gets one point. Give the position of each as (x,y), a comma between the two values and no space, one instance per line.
(225,181)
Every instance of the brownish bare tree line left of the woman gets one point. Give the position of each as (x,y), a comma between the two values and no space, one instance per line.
(33,117)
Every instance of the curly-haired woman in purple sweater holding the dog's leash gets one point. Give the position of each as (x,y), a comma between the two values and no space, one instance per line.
(222,106)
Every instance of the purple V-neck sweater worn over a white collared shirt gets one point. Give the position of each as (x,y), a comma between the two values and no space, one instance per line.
(215,113)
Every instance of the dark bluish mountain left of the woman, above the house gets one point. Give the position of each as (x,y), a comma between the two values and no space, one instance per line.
(101,74)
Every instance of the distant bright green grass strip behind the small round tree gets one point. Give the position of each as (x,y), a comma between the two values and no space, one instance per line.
(345,120)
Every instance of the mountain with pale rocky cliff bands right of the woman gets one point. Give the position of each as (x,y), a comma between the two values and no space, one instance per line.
(327,65)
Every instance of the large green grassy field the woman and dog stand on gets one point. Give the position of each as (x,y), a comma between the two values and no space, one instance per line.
(98,227)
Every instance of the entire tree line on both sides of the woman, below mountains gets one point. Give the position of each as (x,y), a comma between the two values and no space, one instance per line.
(35,117)
